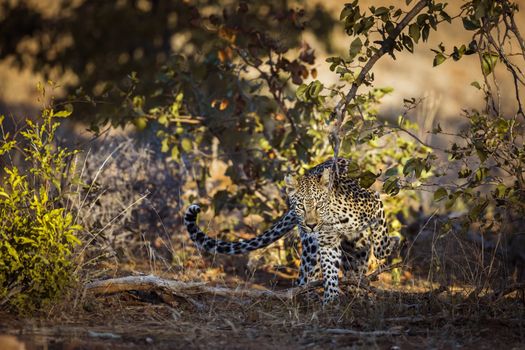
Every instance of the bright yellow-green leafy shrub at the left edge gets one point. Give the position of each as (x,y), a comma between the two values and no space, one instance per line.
(37,231)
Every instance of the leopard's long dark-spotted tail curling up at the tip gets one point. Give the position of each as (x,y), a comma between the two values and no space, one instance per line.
(284,225)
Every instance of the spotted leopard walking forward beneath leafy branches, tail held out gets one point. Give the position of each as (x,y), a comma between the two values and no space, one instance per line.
(340,225)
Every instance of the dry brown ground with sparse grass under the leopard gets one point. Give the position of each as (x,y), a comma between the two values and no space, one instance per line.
(407,316)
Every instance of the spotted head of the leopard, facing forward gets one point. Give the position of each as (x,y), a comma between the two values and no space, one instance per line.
(308,197)
